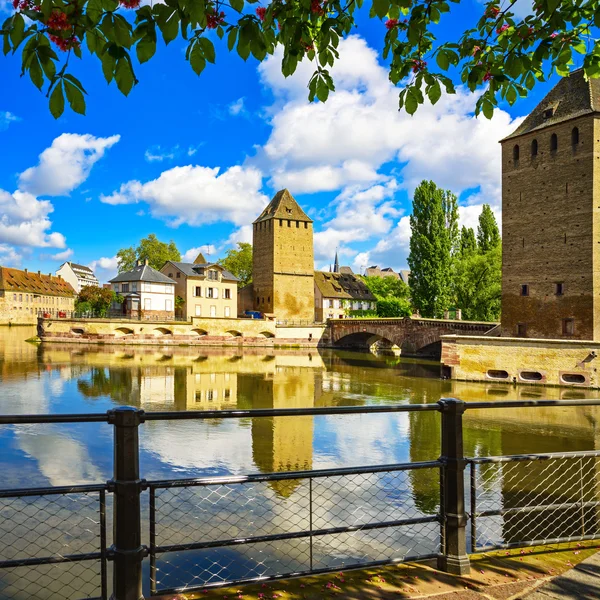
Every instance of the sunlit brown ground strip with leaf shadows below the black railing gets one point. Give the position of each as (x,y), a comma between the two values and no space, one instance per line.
(499,575)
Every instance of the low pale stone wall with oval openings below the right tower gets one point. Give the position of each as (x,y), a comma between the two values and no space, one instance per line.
(517,360)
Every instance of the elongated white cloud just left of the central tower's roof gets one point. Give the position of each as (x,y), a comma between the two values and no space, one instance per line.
(198,195)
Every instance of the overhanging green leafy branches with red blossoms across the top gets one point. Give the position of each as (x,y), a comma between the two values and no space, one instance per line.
(505,54)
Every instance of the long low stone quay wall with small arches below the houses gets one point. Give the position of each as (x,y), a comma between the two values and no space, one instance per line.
(200,331)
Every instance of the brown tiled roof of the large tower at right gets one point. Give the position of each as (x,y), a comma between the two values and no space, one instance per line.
(571,97)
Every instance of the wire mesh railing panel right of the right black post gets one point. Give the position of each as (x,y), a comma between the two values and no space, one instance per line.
(539,498)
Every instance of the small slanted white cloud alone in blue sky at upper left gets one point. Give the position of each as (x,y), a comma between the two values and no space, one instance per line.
(65,165)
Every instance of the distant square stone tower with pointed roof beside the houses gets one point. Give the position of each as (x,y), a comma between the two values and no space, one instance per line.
(283,269)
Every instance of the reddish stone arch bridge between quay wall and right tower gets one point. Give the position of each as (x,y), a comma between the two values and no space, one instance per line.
(412,336)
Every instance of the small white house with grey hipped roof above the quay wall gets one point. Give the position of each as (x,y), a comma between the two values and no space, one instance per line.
(148,293)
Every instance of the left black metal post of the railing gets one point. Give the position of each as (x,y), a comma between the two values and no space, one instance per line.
(127,550)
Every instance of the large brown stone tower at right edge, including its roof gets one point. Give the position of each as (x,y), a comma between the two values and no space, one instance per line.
(551,216)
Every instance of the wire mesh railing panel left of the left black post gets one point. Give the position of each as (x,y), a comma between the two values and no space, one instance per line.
(51,545)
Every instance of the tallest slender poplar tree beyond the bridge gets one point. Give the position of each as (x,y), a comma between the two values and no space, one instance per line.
(433,243)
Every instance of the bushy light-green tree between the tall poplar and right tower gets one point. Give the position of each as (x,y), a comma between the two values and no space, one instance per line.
(477,285)
